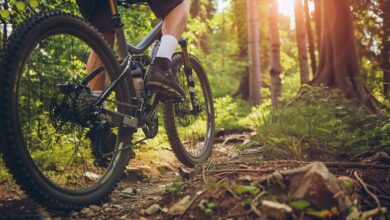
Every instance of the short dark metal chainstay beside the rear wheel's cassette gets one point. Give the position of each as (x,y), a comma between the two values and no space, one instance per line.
(116,119)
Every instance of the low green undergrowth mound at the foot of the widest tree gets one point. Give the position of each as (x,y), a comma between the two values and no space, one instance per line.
(320,117)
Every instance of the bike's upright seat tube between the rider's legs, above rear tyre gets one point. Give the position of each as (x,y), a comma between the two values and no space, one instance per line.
(118,28)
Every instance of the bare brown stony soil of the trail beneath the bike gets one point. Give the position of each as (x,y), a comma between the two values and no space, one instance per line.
(236,159)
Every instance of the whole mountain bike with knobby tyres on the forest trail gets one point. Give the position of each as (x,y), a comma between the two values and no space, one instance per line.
(68,148)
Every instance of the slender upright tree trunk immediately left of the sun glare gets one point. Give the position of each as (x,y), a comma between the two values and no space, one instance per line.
(274,39)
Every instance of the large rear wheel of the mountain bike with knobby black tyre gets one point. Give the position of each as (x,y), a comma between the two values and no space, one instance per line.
(45,139)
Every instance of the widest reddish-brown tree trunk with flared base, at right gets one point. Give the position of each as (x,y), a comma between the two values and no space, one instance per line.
(338,66)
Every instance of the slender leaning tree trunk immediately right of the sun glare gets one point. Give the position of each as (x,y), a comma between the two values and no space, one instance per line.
(302,42)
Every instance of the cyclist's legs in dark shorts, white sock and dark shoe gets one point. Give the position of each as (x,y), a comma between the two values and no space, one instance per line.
(160,77)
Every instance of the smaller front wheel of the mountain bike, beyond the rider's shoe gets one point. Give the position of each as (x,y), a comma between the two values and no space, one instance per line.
(190,128)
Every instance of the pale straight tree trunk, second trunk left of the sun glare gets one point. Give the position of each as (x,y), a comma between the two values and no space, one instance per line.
(253,53)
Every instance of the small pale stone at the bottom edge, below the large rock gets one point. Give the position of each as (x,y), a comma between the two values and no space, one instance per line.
(275,210)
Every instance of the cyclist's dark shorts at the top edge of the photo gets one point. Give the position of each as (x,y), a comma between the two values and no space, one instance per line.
(97,12)
